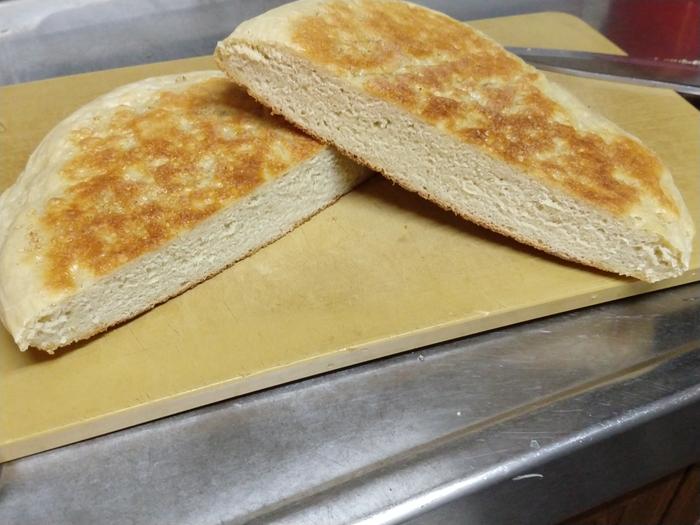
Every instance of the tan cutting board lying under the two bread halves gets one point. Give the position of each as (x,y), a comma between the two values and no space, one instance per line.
(379,272)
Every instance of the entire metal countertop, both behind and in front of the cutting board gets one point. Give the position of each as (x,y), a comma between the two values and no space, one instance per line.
(527,424)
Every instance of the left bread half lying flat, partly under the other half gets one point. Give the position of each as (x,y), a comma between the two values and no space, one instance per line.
(145,192)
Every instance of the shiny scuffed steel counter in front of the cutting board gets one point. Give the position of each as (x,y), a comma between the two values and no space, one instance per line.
(380,442)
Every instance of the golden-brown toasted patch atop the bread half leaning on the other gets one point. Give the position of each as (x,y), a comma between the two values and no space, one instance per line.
(452,77)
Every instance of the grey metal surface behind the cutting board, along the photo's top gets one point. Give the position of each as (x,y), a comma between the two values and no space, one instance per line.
(40,39)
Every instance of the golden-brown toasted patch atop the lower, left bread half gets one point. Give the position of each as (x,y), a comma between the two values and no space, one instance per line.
(145,176)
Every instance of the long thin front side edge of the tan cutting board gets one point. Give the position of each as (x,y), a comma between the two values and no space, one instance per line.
(327,362)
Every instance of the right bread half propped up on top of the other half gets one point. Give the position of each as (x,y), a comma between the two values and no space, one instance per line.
(444,111)
